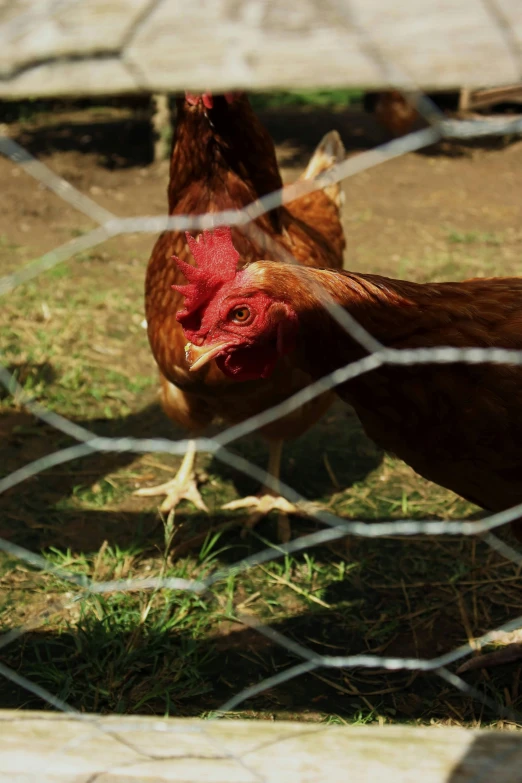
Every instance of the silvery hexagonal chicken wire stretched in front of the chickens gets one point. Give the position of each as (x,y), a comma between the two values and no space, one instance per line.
(333,527)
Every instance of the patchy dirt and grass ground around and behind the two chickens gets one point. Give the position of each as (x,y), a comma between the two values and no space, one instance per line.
(74,338)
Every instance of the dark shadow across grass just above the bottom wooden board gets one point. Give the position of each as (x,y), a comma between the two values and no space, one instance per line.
(115,663)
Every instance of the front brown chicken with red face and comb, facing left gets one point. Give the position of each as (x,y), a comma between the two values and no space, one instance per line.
(459,425)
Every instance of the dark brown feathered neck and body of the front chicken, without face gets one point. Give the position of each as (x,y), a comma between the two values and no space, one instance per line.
(459,425)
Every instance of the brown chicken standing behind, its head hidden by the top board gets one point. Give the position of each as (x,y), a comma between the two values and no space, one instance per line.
(223,158)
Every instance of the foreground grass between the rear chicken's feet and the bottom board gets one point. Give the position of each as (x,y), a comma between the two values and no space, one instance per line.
(171,652)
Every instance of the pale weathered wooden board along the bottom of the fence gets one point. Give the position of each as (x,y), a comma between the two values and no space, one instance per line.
(42,747)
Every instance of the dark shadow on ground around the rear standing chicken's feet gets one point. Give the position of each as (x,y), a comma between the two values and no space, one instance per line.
(35,513)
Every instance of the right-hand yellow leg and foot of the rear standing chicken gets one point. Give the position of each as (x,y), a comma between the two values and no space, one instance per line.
(268,499)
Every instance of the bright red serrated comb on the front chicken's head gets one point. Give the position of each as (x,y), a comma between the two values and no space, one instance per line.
(216,263)
